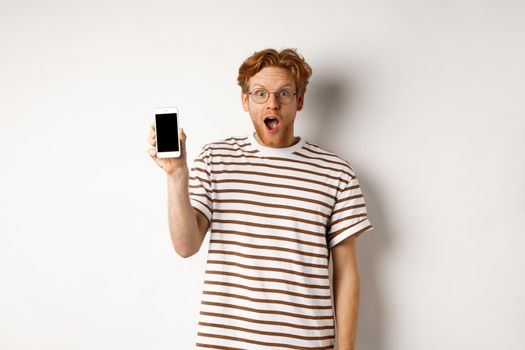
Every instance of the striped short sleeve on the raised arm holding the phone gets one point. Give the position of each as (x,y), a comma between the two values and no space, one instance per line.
(200,190)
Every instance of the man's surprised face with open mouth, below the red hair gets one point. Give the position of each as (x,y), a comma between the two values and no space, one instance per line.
(280,133)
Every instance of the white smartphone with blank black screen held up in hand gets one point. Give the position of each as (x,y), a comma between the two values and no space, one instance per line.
(167,127)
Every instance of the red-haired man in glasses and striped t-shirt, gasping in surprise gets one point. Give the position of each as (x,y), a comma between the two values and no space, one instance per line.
(276,206)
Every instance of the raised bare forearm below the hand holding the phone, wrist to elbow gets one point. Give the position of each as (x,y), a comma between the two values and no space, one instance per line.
(182,221)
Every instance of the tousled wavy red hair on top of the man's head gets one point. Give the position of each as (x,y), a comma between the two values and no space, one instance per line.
(288,59)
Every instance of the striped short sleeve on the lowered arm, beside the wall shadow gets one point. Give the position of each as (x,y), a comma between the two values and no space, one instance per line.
(349,215)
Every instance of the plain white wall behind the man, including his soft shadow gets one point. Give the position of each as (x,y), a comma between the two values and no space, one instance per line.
(423,98)
